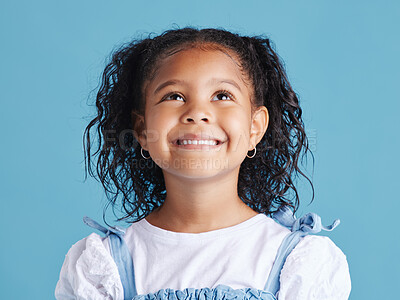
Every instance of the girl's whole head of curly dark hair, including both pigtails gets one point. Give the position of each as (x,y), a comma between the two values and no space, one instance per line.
(266,182)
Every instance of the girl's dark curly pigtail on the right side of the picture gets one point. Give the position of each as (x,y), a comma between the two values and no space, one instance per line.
(285,140)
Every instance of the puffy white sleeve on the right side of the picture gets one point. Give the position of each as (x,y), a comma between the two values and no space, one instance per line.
(316,269)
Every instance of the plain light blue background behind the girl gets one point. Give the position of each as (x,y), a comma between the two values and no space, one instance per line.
(342,60)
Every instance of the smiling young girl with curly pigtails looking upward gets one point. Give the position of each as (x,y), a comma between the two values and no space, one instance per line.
(200,136)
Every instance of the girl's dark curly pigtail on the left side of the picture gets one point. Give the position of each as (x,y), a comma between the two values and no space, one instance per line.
(119,165)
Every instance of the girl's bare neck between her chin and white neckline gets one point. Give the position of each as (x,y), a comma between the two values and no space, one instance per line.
(194,206)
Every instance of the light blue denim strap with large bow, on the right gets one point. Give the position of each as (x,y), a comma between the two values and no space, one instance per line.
(309,223)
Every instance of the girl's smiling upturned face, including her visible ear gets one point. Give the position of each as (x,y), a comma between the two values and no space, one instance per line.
(198,121)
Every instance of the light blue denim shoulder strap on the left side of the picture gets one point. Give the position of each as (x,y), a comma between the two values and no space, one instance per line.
(121,255)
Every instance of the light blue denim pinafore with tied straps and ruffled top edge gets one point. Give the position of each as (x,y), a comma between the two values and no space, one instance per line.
(309,223)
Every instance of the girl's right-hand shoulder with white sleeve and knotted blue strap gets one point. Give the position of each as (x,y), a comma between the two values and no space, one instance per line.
(308,266)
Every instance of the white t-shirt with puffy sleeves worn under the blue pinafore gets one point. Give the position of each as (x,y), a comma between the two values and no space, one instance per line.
(239,256)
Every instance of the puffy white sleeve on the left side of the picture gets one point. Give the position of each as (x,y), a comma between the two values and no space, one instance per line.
(89,272)
